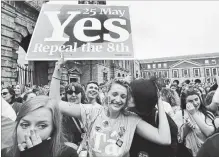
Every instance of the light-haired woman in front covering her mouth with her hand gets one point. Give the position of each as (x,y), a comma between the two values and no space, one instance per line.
(38,131)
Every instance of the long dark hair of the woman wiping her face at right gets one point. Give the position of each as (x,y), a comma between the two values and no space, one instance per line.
(202,107)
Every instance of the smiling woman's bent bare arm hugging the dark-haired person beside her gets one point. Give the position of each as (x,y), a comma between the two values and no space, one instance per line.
(160,135)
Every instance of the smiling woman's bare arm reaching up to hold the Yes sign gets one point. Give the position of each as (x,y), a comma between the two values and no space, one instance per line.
(67,108)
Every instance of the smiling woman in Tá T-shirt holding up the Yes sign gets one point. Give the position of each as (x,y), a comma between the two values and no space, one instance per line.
(110,128)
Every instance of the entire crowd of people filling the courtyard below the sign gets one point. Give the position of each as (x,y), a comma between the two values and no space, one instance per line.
(121,118)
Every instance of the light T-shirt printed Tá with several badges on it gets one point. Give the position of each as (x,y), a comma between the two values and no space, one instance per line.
(106,132)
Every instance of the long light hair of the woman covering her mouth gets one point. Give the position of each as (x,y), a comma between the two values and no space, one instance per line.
(57,135)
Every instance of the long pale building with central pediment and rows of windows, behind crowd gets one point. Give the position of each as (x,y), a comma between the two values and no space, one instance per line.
(190,67)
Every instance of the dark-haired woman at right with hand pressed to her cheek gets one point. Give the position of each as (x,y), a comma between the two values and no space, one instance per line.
(194,121)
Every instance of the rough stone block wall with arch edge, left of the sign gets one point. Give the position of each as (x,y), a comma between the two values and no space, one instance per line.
(18,21)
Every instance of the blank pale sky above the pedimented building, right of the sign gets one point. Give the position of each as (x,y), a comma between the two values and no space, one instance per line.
(172,28)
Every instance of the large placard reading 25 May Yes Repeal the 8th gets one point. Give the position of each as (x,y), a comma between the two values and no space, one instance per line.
(82,32)
